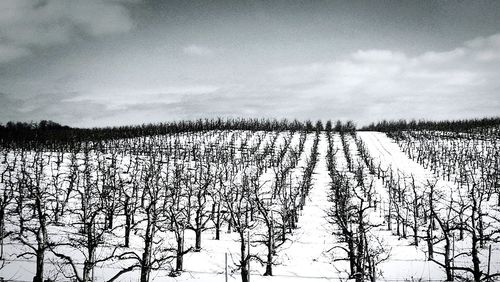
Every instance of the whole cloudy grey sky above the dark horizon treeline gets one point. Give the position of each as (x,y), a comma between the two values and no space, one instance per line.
(89,63)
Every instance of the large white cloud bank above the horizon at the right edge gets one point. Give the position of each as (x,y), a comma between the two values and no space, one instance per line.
(402,85)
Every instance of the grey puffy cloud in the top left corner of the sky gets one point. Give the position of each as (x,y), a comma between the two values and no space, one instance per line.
(26,23)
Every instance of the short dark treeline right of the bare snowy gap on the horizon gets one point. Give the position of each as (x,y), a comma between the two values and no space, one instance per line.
(464,125)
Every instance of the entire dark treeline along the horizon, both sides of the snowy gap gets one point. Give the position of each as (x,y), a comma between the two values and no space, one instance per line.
(49,133)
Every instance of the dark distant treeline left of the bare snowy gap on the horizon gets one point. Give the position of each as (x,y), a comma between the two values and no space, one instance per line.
(49,132)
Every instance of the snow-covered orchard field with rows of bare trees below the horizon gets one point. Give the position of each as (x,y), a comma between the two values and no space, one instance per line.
(245,167)
